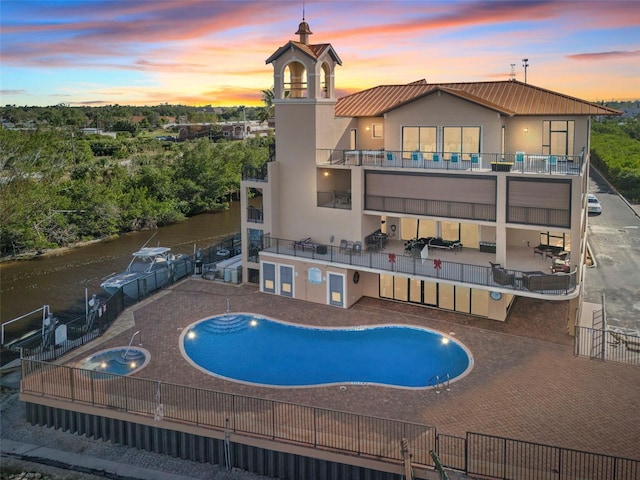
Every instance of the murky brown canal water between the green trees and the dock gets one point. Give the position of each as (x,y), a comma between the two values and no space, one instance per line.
(60,279)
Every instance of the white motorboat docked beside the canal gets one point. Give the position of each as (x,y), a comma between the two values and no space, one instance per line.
(151,268)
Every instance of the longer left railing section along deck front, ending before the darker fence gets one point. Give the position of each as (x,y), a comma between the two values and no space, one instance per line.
(287,422)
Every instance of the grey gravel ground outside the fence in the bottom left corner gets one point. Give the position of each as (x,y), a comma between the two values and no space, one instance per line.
(14,427)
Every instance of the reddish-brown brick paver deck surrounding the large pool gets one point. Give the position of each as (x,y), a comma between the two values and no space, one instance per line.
(526,383)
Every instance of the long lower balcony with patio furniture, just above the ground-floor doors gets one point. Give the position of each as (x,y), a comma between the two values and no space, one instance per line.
(532,276)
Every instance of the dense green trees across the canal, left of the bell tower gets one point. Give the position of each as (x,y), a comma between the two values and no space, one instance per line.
(57,189)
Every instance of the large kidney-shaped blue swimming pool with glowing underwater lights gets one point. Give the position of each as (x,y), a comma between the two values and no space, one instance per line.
(259,350)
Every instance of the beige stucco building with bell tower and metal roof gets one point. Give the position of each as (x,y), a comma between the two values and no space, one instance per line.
(457,196)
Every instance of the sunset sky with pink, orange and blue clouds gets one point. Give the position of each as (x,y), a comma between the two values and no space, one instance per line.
(212,52)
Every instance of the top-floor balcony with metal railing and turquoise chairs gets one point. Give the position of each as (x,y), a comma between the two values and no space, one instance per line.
(517,162)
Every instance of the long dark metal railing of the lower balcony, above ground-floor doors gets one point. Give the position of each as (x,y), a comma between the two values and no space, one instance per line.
(384,262)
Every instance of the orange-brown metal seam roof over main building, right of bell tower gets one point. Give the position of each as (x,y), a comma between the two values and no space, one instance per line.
(509,97)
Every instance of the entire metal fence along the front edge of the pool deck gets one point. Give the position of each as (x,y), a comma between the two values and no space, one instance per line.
(476,454)
